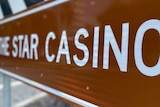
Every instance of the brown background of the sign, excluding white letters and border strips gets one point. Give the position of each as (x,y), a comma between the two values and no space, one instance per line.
(106,88)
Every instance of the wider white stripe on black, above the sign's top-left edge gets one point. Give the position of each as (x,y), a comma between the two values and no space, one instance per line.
(17,5)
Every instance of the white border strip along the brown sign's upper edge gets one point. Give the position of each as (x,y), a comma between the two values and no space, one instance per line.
(35,10)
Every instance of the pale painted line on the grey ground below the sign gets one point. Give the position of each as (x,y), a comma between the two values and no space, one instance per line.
(30,100)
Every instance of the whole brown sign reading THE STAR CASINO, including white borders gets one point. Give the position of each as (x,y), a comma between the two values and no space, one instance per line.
(93,52)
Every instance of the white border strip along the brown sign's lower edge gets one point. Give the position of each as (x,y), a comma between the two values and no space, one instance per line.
(49,89)
